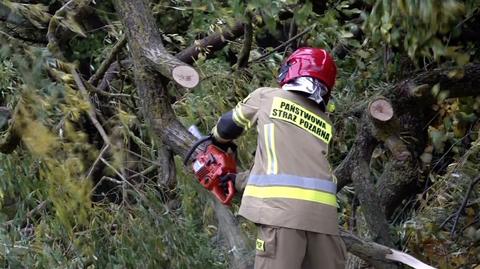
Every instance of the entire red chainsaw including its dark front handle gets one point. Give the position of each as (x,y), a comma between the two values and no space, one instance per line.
(215,168)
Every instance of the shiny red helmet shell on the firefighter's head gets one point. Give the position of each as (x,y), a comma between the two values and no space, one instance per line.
(311,62)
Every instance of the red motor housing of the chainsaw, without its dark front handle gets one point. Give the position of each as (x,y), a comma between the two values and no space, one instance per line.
(210,166)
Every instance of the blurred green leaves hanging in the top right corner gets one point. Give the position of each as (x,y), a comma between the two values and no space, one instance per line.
(420,27)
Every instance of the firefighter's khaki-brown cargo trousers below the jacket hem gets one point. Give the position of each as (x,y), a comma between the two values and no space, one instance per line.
(284,248)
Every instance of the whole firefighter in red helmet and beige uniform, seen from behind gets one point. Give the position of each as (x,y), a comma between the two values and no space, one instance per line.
(291,192)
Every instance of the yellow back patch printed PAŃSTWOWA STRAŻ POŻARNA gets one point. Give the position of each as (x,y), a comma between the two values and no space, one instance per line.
(289,111)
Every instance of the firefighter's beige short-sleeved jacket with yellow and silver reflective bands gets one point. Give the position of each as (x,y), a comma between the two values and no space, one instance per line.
(291,183)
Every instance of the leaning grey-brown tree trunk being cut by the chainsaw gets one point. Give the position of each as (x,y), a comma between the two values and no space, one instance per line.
(143,37)
